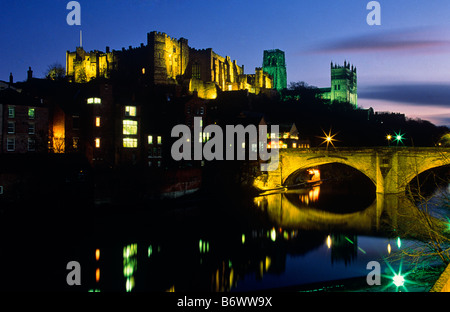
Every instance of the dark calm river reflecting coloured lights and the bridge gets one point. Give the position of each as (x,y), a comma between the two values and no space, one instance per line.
(309,240)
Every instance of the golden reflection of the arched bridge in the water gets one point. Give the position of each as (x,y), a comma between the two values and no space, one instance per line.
(386,215)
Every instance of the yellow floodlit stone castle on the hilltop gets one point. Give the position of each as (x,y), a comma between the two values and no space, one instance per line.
(169,61)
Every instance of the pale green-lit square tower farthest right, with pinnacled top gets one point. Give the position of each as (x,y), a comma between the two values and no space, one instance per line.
(344,83)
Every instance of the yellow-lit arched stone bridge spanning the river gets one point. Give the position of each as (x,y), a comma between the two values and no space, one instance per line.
(389,168)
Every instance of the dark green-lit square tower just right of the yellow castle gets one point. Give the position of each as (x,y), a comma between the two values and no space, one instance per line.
(274,64)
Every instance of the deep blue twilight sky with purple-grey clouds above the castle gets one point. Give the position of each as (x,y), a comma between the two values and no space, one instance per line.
(403,64)
